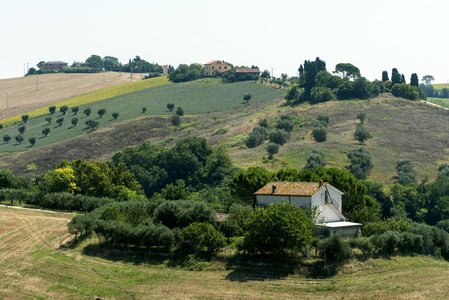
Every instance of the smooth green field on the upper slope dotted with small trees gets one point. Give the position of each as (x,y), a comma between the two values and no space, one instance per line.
(197,97)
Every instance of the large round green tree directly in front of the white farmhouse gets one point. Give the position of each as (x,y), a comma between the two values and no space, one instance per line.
(277,230)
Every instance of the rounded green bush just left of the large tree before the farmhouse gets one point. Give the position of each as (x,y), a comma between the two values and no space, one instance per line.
(202,237)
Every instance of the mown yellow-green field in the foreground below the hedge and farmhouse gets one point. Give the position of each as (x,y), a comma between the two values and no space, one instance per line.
(37,263)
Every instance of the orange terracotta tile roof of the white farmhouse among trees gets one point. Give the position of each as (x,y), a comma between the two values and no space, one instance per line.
(284,188)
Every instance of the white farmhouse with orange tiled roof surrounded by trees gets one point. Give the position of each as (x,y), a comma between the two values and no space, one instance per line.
(321,194)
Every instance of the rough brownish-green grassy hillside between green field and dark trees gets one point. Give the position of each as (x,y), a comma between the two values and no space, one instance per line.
(400,129)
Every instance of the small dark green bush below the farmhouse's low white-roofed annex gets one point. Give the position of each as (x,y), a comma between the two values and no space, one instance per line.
(335,249)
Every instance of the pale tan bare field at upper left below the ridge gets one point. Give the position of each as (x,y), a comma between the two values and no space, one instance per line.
(20,95)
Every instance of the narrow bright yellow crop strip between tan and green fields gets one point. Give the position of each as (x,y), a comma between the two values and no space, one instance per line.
(95,96)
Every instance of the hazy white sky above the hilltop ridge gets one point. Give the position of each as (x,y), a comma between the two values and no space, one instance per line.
(409,35)
